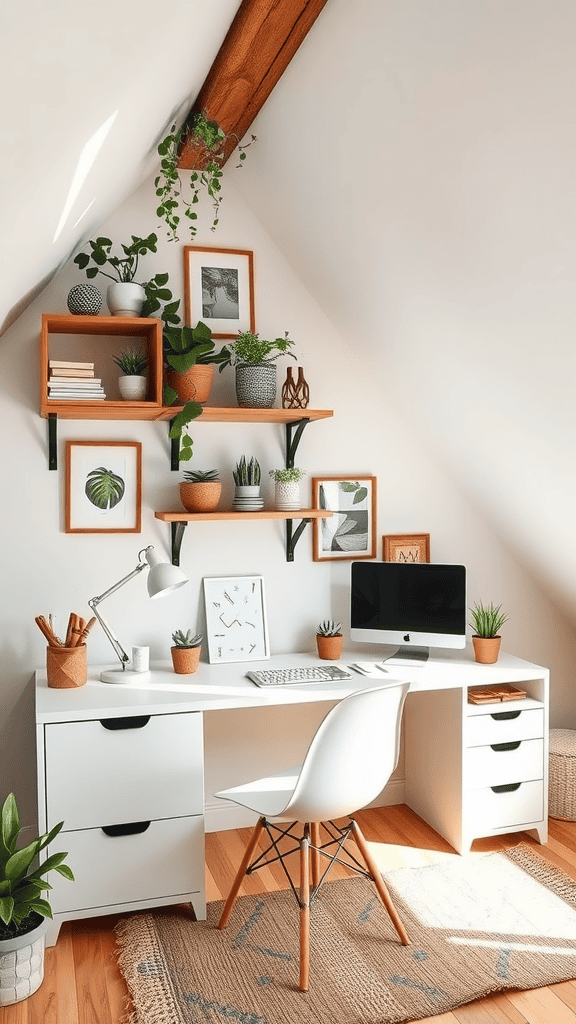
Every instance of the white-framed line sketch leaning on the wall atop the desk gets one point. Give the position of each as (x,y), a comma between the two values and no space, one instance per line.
(236,619)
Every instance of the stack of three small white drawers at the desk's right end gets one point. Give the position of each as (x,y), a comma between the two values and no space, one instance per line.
(506,767)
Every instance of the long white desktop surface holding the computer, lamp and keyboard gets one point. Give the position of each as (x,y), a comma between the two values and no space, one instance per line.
(217,688)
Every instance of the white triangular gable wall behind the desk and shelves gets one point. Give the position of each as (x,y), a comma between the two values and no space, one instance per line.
(47,571)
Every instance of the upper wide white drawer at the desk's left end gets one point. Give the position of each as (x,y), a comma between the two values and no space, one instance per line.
(100,775)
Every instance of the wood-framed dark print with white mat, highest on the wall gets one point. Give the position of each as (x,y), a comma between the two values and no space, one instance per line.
(220,290)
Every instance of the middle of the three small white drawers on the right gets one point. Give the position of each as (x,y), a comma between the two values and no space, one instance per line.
(517,761)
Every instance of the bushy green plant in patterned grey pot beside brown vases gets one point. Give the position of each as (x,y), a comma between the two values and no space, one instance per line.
(255,360)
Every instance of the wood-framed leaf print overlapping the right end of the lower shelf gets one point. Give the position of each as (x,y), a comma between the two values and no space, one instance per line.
(351,532)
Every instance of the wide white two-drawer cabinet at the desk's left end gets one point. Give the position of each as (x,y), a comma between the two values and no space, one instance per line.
(131,792)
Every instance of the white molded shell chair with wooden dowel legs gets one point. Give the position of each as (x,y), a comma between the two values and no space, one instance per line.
(349,762)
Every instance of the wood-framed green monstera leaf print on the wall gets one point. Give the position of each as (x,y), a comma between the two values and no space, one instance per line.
(103,487)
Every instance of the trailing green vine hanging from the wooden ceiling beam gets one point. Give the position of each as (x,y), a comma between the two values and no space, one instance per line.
(210,142)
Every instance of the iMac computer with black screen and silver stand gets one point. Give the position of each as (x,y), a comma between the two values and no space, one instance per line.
(413,606)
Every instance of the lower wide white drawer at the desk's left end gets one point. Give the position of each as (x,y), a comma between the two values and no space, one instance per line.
(166,860)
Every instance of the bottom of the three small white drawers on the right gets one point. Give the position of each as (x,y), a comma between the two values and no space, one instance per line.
(488,809)
